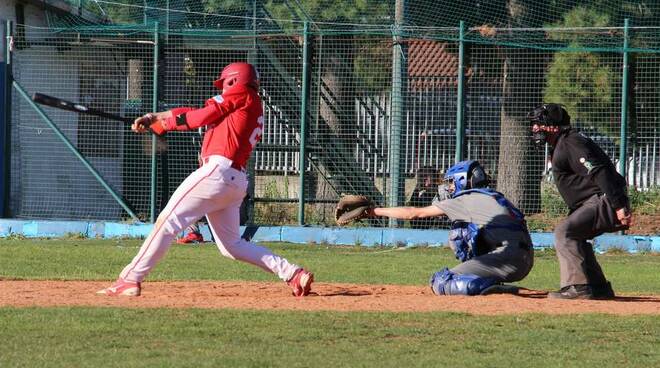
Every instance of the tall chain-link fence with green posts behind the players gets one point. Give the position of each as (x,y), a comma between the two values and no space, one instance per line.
(385,111)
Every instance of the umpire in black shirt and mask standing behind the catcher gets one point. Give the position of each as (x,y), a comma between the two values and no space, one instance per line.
(595,194)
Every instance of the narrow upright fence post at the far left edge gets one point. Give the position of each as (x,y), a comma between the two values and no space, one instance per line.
(9,40)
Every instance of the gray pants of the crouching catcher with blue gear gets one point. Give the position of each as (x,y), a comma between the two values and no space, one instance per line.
(507,263)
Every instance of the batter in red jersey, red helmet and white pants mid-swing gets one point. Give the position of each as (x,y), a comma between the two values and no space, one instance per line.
(234,124)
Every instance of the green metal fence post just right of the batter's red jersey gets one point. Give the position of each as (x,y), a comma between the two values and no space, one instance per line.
(303,124)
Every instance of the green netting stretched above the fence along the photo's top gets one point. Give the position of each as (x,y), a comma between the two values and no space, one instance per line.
(596,24)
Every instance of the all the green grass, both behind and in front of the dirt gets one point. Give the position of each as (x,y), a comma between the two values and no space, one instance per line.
(124,337)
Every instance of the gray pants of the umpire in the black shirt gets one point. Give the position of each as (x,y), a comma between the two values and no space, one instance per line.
(577,261)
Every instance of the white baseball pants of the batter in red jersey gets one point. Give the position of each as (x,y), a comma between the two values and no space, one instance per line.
(217,191)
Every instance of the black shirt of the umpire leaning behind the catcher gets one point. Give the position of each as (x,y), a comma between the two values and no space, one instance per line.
(581,169)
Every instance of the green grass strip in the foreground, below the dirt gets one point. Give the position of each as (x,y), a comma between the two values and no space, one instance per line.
(107,337)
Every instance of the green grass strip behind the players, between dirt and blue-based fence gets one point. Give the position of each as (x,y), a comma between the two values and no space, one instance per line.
(89,259)
